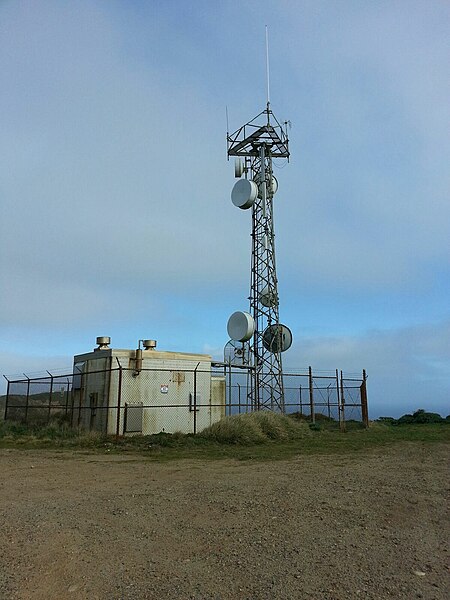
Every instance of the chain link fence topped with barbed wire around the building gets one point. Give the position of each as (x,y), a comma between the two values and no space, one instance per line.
(122,402)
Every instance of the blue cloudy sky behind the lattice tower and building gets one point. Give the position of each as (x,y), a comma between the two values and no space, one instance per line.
(115,188)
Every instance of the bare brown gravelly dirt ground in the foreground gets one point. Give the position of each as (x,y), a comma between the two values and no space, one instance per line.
(86,526)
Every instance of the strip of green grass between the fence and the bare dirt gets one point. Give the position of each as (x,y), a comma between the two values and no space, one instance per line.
(256,436)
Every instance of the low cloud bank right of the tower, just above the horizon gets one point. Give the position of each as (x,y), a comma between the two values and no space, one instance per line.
(408,368)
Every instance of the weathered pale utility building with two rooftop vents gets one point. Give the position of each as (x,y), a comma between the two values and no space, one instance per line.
(143,392)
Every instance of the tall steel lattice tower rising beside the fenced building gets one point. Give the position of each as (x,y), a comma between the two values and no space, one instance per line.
(258,142)
